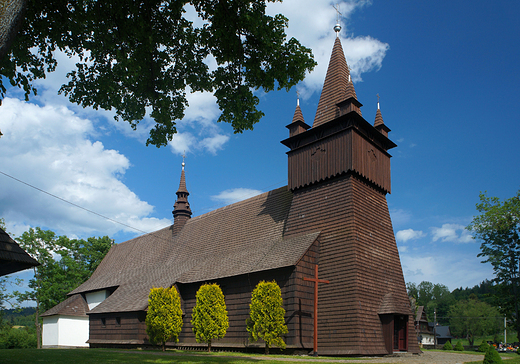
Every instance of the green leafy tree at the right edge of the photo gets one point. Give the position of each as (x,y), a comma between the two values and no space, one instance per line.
(498,229)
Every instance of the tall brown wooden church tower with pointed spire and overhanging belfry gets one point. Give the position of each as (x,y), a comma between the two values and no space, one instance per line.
(339,174)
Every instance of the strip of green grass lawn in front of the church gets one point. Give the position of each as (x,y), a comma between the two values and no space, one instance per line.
(93,356)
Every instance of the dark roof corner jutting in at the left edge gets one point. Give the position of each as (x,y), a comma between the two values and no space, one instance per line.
(12,257)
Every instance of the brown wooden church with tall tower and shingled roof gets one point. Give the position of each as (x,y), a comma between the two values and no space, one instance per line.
(333,213)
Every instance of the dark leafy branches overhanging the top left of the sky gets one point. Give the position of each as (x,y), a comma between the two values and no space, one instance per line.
(140,56)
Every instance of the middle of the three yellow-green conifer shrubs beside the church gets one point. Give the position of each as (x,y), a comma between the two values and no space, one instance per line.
(209,319)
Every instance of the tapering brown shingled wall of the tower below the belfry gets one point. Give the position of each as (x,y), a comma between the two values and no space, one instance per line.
(359,256)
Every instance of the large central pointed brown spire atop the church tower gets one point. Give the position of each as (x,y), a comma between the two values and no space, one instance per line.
(337,88)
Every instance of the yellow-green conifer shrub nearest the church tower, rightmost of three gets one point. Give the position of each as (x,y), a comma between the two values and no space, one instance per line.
(266,317)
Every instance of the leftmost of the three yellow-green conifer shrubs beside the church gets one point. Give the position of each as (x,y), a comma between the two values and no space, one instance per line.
(164,316)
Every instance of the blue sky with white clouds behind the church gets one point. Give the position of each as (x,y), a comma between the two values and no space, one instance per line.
(447,75)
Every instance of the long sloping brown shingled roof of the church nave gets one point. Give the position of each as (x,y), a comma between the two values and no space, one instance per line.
(241,238)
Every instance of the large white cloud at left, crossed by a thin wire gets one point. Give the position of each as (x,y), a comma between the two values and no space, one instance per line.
(49,148)
